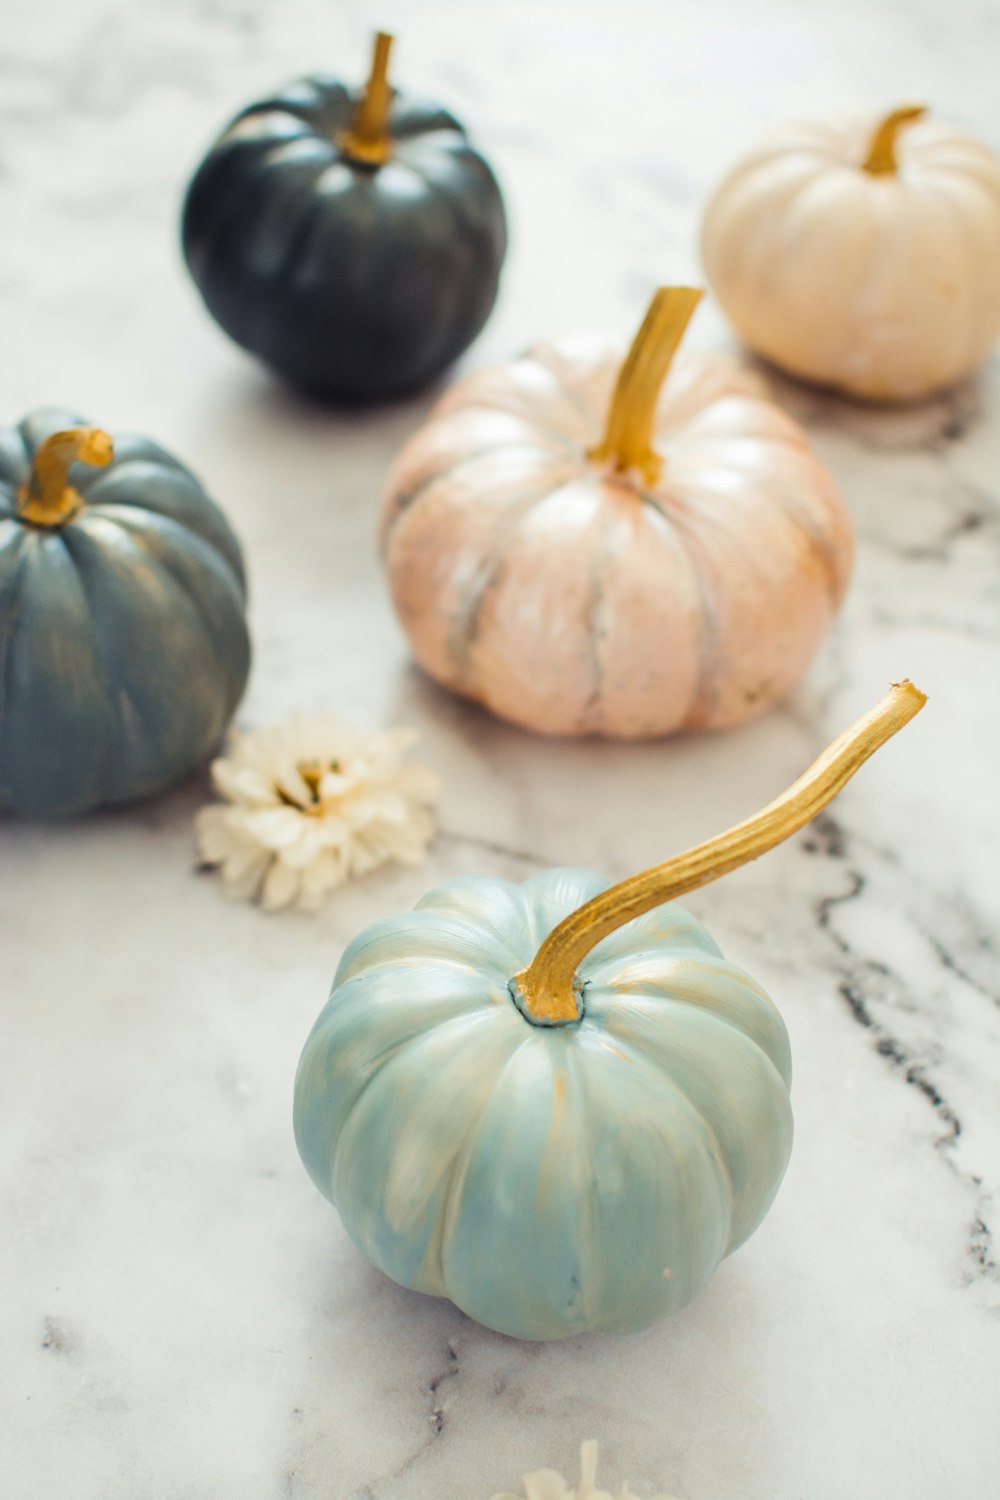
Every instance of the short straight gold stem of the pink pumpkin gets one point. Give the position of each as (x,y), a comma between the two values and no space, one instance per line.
(627,440)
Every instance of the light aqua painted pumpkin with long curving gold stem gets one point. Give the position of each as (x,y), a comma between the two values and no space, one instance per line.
(557,1103)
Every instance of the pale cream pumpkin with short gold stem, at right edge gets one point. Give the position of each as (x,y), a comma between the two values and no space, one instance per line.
(863,256)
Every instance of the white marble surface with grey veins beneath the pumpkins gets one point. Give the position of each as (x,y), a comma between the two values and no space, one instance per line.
(181,1315)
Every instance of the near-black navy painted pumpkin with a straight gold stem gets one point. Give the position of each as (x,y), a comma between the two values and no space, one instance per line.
(352,241)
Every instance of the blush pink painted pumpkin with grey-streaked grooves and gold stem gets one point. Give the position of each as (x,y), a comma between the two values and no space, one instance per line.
(678,572)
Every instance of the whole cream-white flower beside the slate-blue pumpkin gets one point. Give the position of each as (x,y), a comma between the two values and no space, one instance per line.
(311,805)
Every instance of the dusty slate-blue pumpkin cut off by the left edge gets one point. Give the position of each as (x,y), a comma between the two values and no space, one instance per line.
(124,644)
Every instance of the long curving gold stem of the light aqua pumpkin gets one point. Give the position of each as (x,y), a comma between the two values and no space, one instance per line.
(546,985)
